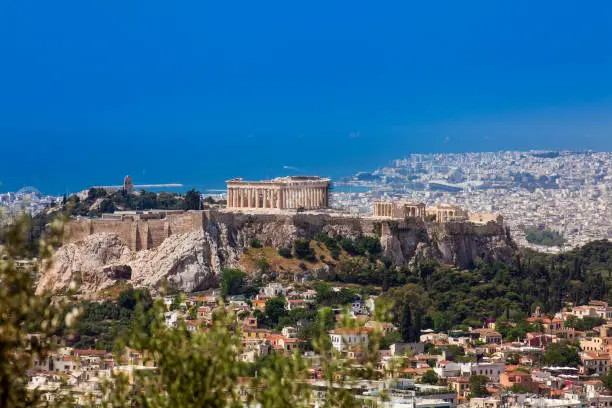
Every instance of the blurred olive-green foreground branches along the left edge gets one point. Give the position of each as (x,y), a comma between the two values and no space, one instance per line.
(23,312)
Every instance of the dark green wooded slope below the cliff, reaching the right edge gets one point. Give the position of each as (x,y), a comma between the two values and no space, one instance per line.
(444,297)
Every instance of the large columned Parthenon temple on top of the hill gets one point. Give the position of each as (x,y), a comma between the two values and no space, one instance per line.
(307,192)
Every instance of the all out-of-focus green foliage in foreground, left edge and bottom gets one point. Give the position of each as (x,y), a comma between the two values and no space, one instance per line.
(189,369)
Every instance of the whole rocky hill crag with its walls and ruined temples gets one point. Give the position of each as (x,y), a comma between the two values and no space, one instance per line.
(189,248)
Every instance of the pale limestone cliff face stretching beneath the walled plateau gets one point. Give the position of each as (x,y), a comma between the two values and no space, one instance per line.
(192,260)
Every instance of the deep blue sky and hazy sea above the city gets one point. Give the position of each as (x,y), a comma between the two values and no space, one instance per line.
(198,92)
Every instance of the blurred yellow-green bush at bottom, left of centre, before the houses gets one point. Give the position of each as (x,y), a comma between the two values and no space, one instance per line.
(203,369)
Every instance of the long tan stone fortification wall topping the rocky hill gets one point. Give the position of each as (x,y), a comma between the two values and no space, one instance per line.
(229,232)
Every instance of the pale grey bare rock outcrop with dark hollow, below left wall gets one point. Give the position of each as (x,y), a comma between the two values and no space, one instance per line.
(186,262)
